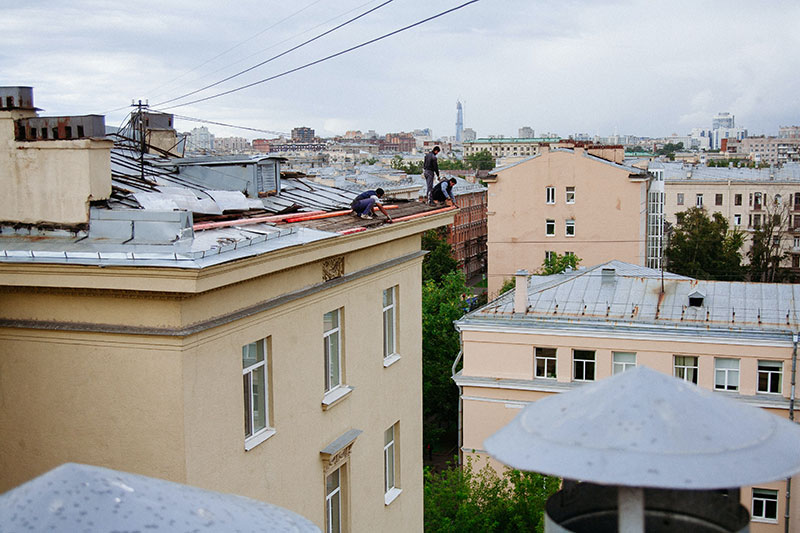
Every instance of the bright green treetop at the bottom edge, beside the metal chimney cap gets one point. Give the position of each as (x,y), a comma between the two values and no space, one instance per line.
(466,500)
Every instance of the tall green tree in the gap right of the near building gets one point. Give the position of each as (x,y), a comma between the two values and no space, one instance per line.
(442,303)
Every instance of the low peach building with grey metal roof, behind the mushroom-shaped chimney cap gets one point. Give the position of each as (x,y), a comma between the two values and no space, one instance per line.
(733,338)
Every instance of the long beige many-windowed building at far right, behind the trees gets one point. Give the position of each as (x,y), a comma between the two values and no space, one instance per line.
(744,196)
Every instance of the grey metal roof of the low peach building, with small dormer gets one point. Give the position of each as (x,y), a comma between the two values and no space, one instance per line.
(632,295)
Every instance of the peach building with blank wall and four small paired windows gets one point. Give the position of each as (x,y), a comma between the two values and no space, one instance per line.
(567,200)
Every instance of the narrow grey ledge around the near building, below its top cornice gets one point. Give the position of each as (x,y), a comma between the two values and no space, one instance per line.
(214,322)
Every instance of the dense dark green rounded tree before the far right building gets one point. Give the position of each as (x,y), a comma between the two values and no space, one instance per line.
(704,248)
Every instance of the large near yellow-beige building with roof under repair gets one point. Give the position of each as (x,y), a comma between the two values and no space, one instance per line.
(276,356)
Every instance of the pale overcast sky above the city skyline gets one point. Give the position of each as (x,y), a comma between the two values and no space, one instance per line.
(564,66)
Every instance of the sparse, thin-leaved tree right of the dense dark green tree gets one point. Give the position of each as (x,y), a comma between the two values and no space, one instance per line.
(767,250)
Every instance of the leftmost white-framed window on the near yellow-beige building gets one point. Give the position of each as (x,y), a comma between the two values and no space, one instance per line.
(255,370)
